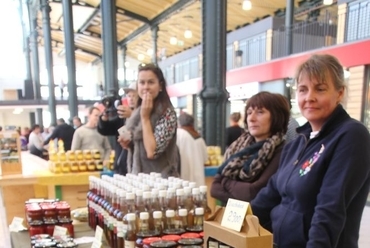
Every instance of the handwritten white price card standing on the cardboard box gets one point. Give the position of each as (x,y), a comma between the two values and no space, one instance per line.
(234,214)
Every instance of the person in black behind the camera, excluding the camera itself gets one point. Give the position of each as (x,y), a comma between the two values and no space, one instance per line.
(108,126)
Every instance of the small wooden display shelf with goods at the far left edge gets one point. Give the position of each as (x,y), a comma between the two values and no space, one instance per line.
(10,155)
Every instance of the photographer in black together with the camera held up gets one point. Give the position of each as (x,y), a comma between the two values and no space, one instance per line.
(117,110)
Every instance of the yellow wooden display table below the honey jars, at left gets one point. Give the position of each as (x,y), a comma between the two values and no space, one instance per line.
(36,181)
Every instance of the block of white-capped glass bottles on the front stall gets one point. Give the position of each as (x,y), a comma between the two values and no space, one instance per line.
(136,207)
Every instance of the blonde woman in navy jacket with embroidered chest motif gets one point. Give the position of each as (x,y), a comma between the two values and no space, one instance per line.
(317,196)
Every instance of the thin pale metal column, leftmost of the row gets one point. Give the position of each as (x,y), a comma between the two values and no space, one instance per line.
(32,15)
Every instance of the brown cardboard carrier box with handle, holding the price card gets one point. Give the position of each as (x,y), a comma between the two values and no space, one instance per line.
(246,238)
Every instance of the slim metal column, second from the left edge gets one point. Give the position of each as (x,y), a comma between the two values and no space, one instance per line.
(45,8)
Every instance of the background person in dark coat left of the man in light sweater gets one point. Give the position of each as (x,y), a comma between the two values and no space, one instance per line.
(64,132)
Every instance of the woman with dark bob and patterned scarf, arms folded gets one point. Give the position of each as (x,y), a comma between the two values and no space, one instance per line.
(254,157)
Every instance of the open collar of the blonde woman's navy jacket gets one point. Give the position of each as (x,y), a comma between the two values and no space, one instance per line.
(335,119)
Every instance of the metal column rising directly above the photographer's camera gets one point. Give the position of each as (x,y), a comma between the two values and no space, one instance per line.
(109,26)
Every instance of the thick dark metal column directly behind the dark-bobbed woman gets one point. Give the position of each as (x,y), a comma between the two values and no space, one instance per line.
(213,94)
